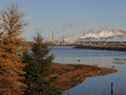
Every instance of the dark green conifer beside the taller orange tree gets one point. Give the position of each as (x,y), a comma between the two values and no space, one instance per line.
(39,65)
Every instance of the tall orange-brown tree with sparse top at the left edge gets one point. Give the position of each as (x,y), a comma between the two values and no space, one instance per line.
(11,67)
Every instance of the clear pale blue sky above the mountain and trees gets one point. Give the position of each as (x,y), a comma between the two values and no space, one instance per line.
(70,17)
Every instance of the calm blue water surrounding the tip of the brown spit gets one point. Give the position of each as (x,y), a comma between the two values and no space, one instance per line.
(99,85)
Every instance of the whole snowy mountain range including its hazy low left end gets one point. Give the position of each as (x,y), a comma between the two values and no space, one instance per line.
(101,35)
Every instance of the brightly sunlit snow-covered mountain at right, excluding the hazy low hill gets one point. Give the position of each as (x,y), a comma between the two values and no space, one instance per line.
(105,35)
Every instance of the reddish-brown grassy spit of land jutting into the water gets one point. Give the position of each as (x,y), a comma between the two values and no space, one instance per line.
(66,76)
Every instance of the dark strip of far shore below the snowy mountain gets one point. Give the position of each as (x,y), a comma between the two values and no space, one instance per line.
(121,46)
